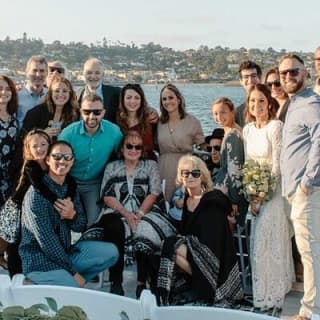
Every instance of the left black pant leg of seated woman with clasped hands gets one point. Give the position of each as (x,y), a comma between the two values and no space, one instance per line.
(114,232)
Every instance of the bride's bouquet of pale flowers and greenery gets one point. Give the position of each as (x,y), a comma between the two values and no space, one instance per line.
(258,183)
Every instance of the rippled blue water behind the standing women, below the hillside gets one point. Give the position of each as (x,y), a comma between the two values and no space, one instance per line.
(199,98)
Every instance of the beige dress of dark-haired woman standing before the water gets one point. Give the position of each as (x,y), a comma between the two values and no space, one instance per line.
(175,144)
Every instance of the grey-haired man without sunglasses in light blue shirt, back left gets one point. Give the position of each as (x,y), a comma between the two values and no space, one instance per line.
(34,91)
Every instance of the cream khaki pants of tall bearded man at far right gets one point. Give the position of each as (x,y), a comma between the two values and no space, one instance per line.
(305,216)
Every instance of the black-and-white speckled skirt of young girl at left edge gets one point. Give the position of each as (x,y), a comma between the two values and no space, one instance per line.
(10,215)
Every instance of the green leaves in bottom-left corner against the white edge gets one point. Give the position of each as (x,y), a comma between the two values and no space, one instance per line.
(43,311)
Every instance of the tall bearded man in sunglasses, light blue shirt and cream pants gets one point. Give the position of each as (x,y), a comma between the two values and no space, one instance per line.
(300,169)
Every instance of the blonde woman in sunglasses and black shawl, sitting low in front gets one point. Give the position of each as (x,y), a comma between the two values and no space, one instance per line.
(202,258)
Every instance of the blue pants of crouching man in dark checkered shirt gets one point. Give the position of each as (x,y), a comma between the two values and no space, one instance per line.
(88,258)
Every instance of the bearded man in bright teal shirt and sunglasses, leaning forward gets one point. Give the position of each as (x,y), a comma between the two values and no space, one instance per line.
(93,139)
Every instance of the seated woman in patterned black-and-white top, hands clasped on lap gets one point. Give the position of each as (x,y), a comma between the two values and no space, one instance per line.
(130,189)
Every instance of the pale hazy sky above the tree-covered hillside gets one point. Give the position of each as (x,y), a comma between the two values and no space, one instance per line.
(179,24)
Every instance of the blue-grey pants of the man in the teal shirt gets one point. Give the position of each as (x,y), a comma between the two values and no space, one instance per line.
(90,193)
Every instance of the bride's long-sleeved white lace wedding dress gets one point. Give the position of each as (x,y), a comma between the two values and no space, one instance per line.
(271,255)
